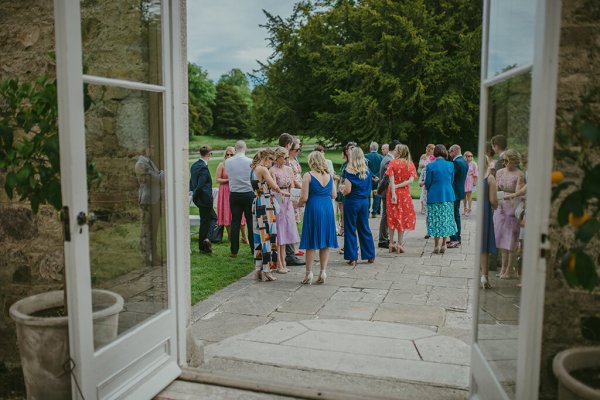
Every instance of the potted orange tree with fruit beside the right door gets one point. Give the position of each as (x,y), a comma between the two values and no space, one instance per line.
(578,201)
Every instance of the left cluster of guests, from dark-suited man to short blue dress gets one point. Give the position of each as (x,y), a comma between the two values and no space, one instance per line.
(261,191)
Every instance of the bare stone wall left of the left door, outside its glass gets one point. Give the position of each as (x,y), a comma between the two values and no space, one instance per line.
(31,246)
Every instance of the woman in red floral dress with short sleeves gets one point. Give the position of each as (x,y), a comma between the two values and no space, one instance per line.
(400,210)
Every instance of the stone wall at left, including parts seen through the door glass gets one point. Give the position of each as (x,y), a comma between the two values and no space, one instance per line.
(120,41)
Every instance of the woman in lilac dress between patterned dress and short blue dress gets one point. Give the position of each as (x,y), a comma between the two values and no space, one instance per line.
(287,230)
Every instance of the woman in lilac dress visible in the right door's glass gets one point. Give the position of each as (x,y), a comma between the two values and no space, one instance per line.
(506,225)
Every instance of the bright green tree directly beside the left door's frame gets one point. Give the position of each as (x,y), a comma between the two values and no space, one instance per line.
(202,93)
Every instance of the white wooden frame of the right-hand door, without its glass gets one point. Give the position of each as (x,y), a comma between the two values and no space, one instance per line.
(544,69)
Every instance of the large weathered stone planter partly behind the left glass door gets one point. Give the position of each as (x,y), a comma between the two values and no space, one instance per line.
(44,341)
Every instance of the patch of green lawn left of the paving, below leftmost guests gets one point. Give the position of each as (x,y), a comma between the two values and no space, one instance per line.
(212,272)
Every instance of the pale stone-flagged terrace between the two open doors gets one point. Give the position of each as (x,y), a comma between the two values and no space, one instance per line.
(399,328)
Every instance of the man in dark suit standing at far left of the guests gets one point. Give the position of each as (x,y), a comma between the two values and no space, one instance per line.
(201,186)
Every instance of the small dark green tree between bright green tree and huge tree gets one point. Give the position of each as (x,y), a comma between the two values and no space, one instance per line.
(231,113)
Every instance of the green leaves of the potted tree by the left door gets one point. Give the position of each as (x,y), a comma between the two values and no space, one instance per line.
(29,145)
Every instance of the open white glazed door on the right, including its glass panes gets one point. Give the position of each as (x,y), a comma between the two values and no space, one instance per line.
(518,98)
